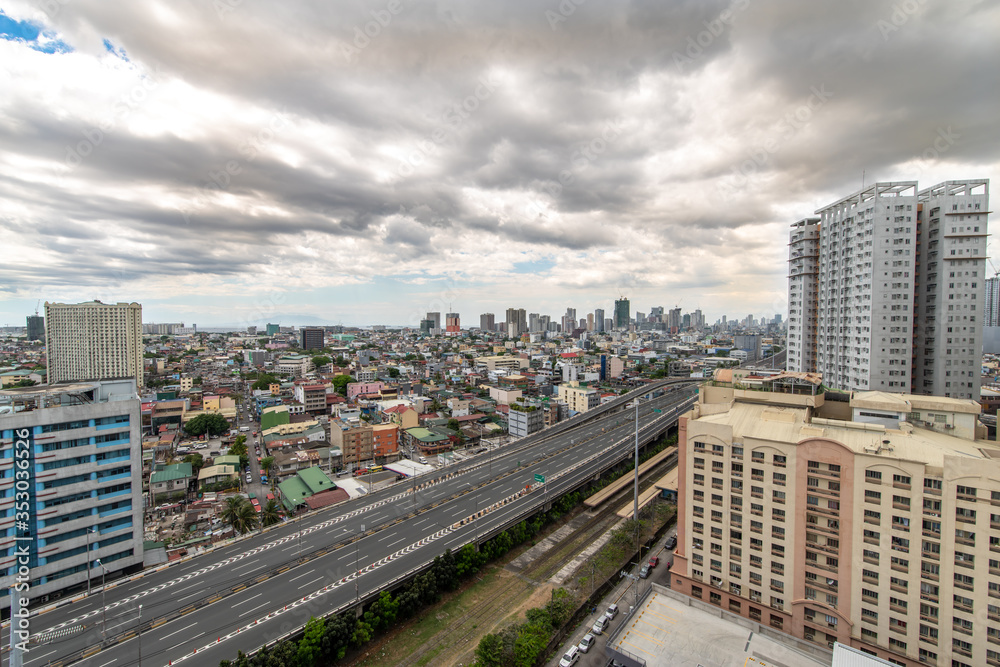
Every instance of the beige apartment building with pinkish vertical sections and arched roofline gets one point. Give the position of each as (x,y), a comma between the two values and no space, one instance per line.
(873,521)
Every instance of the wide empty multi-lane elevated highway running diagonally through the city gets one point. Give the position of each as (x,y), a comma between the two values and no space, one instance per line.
(264,587)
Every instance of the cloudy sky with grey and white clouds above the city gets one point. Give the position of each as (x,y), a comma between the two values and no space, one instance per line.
(234,162)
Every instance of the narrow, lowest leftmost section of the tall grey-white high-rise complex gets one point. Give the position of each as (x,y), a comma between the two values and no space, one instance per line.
(803,284)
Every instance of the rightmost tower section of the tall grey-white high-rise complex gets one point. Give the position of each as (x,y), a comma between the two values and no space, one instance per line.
(948,339)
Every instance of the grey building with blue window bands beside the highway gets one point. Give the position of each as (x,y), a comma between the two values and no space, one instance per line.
(82,444)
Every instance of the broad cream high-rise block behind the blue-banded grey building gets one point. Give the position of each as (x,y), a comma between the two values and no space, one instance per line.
(93,341)
